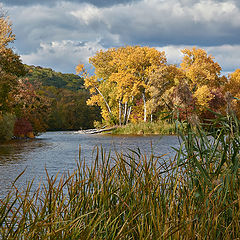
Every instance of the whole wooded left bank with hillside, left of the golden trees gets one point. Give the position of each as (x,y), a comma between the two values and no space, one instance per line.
(35,99)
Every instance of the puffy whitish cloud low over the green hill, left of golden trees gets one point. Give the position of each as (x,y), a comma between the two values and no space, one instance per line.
(63,56)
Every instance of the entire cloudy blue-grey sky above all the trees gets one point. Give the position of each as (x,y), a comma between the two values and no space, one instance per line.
(61,34)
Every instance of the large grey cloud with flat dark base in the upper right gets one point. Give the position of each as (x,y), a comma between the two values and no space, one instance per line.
(205,22)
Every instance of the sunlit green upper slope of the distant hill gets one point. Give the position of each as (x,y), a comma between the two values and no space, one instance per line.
(49,77)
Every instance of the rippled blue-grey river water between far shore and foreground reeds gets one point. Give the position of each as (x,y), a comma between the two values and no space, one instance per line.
(59,151)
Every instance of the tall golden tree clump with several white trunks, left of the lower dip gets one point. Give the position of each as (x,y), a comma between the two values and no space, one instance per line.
(121,79)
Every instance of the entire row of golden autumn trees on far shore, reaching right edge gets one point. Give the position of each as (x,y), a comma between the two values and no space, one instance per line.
(134,83)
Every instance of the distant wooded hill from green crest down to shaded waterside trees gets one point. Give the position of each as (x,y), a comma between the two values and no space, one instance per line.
(66,96)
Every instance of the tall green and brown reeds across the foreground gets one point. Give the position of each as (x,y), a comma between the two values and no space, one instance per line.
(132,196)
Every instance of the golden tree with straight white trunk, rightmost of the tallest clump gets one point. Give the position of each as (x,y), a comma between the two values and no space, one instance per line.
(135,64)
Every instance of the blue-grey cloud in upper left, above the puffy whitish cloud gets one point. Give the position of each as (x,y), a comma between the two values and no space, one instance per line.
(37,24)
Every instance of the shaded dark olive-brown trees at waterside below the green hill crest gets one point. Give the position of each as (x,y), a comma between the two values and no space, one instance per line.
(68,109)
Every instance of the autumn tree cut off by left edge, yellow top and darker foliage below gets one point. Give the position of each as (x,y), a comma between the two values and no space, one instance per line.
(11,68)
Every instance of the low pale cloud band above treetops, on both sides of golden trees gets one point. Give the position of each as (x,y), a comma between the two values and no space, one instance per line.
(64,55)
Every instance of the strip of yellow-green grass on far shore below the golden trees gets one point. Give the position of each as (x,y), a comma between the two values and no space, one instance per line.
(160,127)
